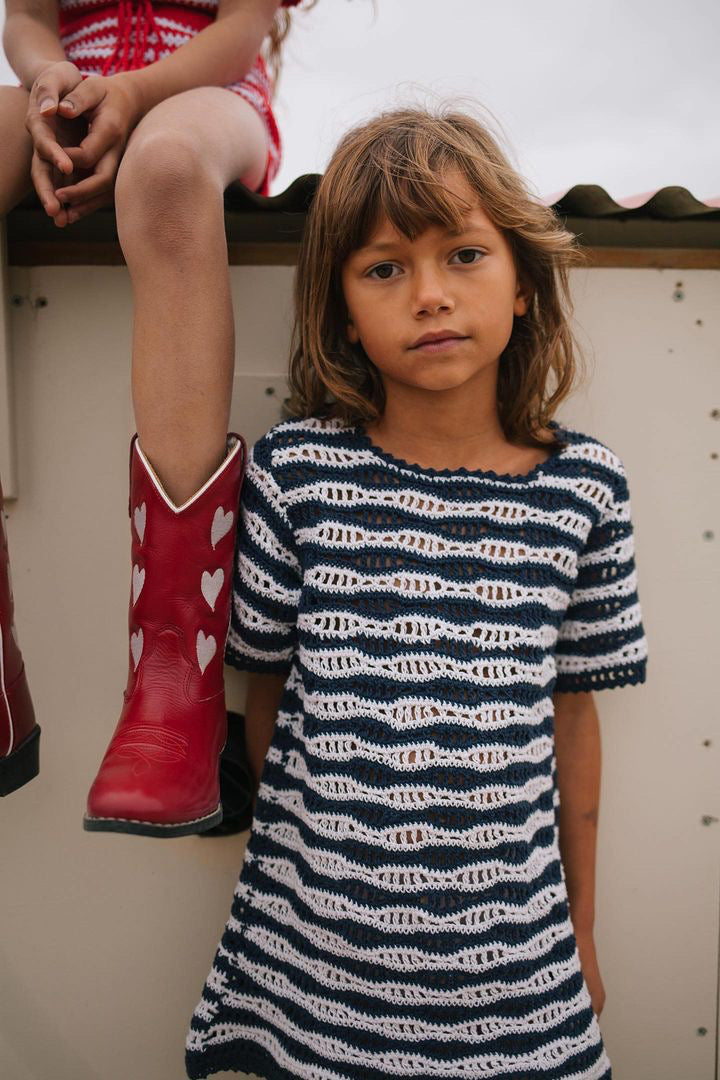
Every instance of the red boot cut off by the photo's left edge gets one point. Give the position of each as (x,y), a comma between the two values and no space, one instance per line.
(20,736)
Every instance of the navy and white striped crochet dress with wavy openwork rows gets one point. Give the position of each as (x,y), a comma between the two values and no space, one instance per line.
(402,909)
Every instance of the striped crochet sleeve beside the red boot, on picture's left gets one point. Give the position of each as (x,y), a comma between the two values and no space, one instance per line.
(267,578)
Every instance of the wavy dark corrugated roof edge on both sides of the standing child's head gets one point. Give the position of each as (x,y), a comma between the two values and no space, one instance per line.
(582,200)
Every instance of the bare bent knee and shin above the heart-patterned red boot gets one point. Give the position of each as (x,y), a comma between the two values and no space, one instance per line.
(170,210)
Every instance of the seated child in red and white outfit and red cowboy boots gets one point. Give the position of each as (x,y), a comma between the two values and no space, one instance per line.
(157,107)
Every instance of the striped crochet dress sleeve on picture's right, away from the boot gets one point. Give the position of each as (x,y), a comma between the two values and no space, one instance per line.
(602,642)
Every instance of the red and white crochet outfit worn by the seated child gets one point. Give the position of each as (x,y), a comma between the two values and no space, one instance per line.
(102,38)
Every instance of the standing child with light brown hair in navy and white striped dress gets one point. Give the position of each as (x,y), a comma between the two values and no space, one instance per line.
(433,577)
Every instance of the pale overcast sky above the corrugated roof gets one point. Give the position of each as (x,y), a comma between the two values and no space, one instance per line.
(622,93)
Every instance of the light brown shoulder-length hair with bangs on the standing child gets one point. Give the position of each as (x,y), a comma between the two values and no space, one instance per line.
(392,166)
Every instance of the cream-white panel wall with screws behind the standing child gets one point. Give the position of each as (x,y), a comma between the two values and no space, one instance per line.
(106,939)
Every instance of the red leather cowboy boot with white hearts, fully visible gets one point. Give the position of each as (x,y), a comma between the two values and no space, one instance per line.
(160,774)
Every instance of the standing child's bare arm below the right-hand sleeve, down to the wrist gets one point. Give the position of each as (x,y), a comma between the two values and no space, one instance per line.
(578,757)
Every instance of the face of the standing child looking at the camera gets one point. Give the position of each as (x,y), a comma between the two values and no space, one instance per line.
(398,290)
